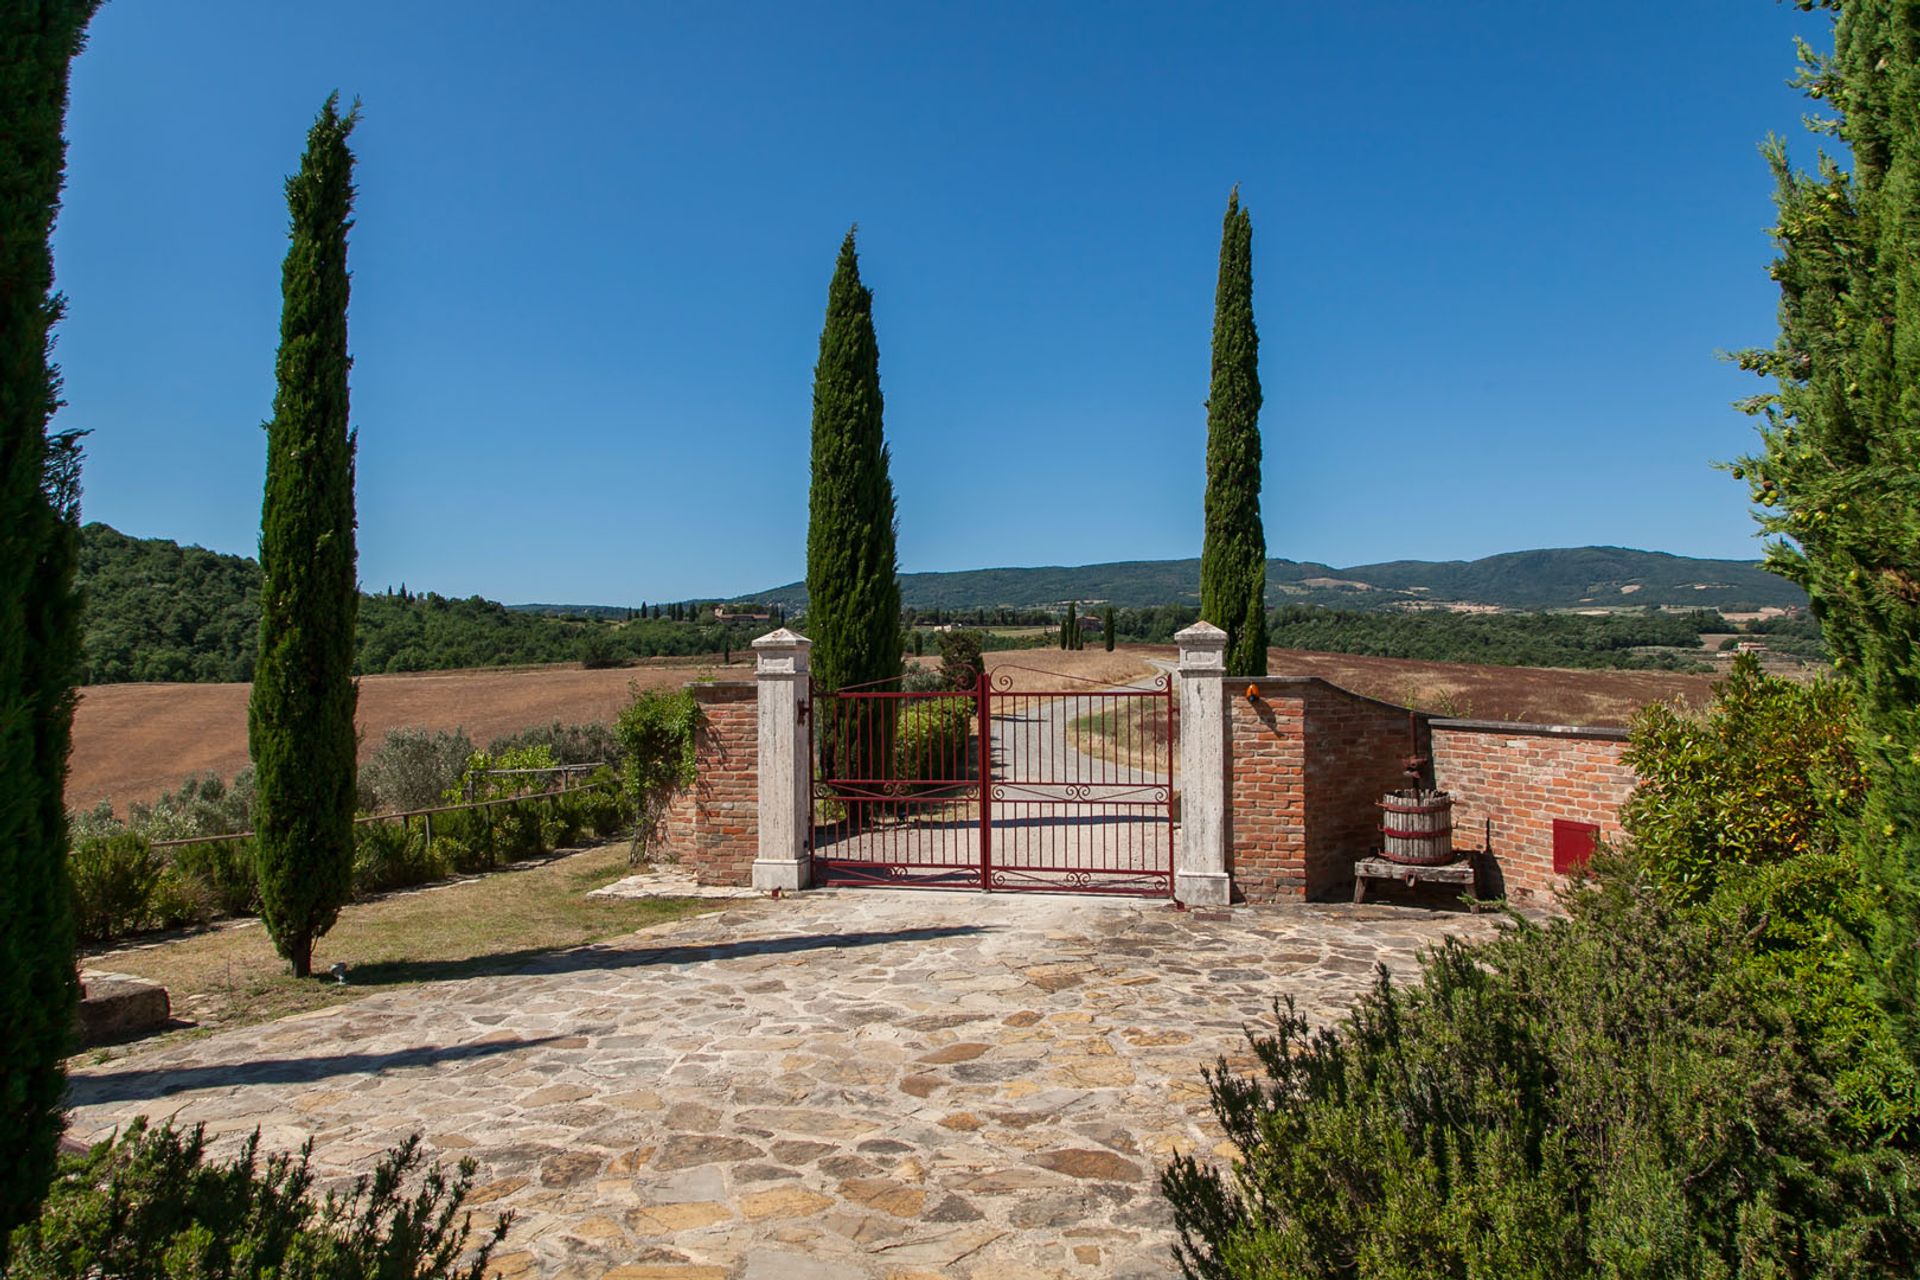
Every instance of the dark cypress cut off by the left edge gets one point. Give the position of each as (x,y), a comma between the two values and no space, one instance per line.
(39,611)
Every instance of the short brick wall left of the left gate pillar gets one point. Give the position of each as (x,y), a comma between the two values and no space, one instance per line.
(715,826)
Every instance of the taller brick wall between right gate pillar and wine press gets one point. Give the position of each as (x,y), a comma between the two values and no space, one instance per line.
(1307,769)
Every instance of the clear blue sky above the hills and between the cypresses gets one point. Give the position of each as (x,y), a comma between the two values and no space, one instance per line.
(1497,250)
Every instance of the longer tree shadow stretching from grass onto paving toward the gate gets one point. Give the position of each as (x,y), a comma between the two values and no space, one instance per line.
(610,957)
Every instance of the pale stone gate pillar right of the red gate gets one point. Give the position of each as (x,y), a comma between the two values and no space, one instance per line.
(1201,863)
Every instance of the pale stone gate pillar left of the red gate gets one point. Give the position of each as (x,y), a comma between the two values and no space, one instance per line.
(786,811)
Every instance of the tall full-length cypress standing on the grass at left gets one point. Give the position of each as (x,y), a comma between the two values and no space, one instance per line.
(300,721)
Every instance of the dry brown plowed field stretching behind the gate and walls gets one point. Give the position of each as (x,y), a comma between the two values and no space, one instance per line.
(135,742)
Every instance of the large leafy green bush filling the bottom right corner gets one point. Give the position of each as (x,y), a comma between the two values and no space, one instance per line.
(1616,1095)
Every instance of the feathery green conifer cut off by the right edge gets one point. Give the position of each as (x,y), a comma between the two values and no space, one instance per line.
(1838,475)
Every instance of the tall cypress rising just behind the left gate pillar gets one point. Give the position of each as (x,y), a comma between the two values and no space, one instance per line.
(853,592)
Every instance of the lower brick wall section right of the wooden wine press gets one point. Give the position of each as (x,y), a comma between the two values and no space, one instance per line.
(1512,782)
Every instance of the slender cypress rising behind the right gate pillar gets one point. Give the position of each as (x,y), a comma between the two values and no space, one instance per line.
(1234,561)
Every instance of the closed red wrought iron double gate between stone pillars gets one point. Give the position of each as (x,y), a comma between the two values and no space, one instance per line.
(1001,786)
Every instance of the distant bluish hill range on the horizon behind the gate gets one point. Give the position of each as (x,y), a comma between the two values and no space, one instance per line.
(1556,579)
